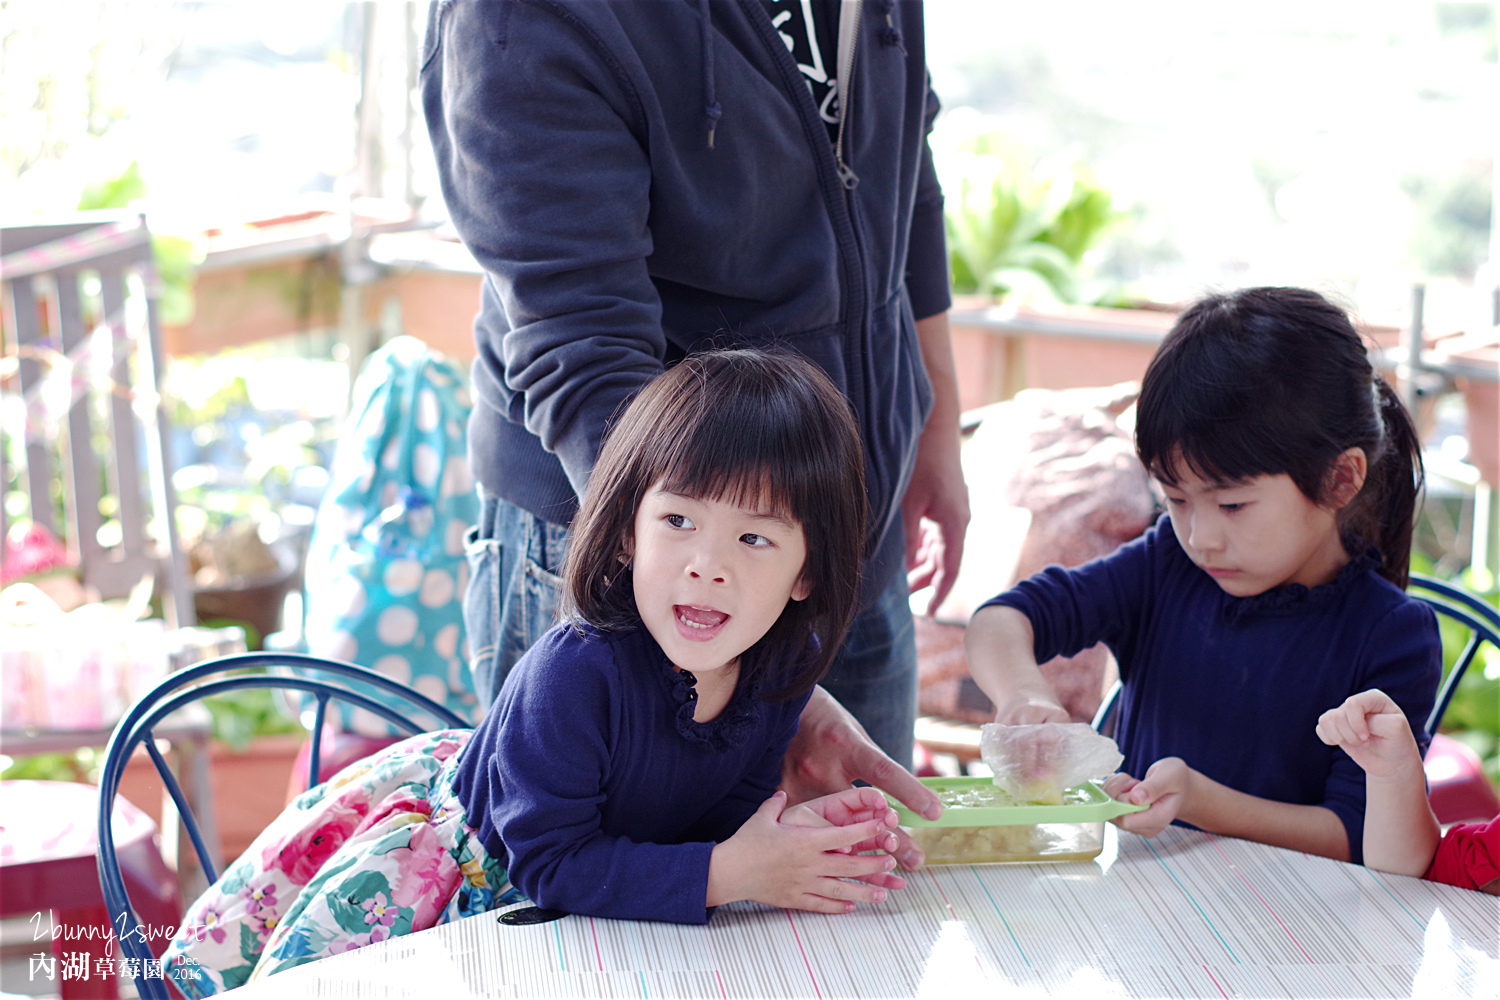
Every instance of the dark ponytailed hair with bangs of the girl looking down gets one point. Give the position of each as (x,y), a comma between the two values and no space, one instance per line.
(1270,382)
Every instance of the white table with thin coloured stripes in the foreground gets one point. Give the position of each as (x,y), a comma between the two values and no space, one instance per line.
(1184,915)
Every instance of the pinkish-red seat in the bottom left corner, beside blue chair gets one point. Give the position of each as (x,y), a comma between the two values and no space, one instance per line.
(49,842)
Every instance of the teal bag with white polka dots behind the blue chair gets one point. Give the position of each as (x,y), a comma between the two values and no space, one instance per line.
(386,569)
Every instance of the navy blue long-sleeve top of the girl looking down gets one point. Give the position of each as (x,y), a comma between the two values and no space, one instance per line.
(1235,684)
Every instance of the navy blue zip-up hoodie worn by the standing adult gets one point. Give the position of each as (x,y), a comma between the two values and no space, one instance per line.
(641,179)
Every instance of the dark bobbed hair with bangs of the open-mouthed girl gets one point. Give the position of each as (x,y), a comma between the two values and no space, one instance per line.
(746,428)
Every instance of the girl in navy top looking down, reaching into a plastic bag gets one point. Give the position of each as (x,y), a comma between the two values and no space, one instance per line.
(1273,591)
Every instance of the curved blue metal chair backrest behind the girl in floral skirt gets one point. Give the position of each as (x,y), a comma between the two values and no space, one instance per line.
(325,680)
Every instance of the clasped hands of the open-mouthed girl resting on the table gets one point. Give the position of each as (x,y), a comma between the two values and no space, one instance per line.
(796,866)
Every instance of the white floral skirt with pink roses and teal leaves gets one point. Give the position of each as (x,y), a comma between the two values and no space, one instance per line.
(380,849)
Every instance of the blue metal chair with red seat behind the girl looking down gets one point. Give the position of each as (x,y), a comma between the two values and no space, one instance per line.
(1457,786)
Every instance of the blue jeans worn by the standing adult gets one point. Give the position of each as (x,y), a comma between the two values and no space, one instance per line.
(515,569)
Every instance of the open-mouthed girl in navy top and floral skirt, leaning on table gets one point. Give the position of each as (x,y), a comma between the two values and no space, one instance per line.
(629,767)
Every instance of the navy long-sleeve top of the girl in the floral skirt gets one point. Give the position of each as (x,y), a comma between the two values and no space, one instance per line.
(593,780)
